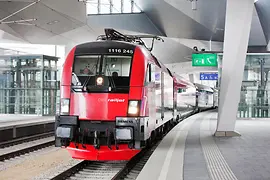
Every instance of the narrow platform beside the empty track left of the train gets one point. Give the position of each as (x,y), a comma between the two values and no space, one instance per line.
(18,126)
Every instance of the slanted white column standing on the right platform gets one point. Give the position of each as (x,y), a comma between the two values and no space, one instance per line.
(237,30)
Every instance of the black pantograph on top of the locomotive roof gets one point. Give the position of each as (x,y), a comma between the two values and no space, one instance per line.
(111,34)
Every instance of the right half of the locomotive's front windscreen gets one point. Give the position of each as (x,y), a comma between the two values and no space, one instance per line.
(117,66)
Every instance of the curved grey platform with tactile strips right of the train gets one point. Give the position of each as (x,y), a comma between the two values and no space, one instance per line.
(191,152)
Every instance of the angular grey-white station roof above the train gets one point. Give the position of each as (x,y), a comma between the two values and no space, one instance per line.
(65,22)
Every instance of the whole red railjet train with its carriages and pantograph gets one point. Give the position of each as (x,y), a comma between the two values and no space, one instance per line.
(117,98)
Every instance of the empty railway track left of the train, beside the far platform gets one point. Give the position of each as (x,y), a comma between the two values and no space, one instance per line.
(30,144)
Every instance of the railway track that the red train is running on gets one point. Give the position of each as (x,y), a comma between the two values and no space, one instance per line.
(128,170)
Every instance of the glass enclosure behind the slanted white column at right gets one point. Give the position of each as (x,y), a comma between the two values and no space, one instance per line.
(254,95)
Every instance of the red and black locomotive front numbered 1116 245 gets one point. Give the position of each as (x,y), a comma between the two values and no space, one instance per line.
(101,114)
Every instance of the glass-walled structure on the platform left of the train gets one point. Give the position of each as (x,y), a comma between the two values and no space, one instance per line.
(20,85)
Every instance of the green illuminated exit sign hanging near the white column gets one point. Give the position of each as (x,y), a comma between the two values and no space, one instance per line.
(204,59)
